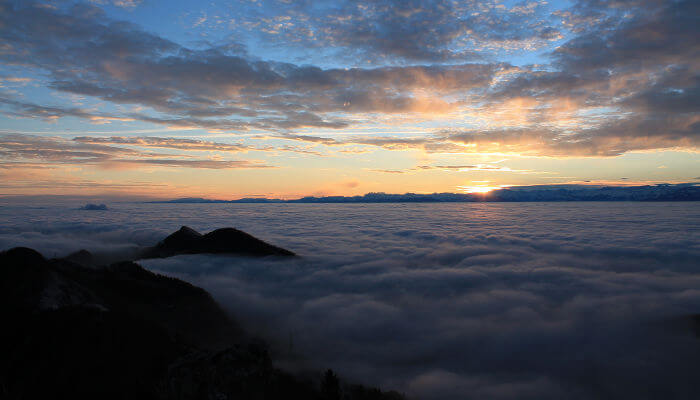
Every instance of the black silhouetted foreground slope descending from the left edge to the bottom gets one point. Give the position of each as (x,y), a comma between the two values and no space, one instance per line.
(122,332)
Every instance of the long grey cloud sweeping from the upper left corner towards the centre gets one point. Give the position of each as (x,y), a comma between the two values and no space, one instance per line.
(88,54)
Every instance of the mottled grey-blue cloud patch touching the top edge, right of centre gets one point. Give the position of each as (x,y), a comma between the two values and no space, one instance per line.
(384,32)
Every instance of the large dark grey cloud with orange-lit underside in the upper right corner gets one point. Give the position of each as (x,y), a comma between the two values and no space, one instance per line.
(641,65)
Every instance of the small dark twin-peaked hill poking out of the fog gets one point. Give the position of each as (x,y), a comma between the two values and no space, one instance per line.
(221,241)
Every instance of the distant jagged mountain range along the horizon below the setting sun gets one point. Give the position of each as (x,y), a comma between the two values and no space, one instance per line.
(660,192)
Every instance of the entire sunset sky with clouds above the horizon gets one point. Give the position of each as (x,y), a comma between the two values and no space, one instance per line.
(229,99)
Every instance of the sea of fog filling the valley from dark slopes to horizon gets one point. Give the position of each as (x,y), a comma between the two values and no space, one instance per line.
(439,301)
